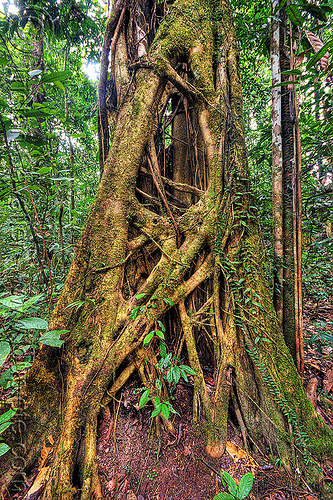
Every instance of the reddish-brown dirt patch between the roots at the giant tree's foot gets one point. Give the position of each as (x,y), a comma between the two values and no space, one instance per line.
(136,464)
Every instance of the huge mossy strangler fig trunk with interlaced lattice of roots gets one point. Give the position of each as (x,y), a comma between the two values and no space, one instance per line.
(143,253)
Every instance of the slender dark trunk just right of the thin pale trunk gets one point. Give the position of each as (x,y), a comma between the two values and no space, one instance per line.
(291,203)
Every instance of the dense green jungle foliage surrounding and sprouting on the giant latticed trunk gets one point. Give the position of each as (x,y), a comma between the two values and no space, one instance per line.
(50,168)
